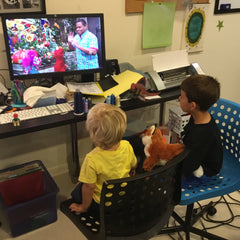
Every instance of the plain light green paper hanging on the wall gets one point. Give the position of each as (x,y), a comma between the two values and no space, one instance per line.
(158,19)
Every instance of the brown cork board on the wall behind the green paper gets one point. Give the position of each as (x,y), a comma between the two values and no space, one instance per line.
(136,6)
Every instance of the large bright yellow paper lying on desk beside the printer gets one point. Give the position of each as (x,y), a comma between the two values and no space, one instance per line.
(124,80)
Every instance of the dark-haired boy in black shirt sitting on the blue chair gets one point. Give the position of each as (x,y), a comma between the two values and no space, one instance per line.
(201,135)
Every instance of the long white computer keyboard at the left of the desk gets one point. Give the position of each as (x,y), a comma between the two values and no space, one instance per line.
(36,112)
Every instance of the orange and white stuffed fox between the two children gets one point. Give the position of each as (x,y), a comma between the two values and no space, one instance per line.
(157,150)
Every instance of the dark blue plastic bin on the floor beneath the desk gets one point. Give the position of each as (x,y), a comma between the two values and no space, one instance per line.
(35,213)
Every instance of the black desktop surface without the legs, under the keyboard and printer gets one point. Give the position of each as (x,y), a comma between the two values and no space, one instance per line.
(37,124)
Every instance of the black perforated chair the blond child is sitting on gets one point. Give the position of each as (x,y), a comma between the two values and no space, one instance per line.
(134,207)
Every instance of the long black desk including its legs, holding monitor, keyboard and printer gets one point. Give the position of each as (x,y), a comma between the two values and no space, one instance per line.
(33,125)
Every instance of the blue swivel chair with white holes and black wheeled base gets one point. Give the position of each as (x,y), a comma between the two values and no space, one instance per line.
(227,116)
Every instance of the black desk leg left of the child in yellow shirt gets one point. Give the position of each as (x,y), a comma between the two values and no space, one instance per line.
(74,166)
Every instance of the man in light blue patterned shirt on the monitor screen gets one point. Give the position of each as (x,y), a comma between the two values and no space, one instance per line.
(86,45)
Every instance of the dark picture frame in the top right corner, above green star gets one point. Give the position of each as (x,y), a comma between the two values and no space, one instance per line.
(226,6)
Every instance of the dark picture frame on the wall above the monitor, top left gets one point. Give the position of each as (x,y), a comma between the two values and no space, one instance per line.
(22,6)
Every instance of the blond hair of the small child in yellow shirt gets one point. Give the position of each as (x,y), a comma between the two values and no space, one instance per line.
(106,125)
